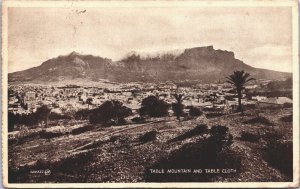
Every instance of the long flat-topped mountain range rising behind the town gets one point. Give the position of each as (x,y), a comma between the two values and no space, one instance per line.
(204,64)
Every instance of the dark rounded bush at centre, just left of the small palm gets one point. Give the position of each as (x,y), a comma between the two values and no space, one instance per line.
(153,107)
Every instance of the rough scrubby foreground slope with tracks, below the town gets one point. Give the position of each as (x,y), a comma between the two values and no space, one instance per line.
(90,153)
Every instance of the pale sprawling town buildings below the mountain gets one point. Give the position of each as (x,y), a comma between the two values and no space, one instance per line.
(26,99)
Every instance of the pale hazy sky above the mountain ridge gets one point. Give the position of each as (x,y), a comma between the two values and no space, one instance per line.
(261,37)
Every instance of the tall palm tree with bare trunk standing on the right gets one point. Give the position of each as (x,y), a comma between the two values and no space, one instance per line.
(239,79)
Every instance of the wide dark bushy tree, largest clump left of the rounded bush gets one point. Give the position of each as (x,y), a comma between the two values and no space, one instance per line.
(110,111)
